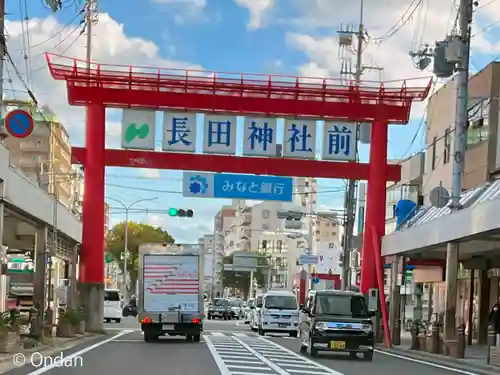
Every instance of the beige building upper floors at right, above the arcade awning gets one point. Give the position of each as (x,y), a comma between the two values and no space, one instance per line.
(482,158)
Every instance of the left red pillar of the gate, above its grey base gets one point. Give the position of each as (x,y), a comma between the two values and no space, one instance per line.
(92,254)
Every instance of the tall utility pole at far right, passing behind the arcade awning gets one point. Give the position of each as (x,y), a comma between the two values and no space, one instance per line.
(460,140)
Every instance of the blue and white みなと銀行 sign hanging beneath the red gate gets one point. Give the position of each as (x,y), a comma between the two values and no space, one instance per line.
(237,186)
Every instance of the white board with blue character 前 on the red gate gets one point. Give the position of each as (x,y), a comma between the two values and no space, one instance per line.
(339,141)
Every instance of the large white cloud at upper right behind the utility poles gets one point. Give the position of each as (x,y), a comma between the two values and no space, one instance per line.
(431,22)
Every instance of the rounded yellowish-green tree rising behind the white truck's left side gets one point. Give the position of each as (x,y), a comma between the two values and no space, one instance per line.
(137,234)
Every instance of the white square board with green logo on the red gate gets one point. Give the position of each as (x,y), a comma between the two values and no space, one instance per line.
(138,129)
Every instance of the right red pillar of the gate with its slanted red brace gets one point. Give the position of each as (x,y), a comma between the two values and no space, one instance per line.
(375,205)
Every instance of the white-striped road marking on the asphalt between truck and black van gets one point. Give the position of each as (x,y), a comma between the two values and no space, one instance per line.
(249,354)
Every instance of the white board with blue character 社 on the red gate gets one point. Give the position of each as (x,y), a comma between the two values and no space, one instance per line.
(299,139)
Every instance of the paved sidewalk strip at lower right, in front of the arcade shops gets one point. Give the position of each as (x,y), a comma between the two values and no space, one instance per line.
(473,363)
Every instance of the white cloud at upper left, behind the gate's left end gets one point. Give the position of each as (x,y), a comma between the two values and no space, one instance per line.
(116,48)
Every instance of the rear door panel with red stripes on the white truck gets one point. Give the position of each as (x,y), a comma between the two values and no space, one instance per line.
(171,283)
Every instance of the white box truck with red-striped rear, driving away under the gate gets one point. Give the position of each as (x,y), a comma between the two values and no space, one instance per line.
(170,293)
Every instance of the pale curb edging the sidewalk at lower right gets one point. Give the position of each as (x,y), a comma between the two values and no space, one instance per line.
(439,361)
